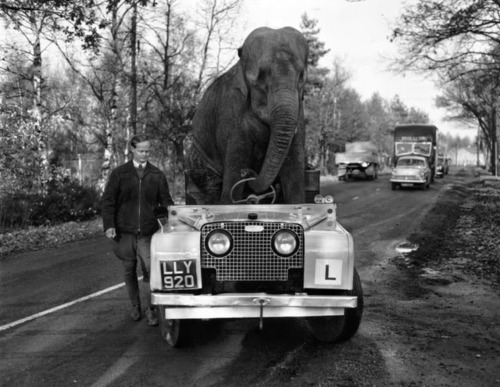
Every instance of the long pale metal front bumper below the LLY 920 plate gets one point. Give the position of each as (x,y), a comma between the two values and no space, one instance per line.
(250,305)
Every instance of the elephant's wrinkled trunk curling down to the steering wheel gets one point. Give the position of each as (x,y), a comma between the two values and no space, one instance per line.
(284,114)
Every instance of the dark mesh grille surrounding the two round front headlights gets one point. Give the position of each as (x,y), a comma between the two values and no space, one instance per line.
(252,257)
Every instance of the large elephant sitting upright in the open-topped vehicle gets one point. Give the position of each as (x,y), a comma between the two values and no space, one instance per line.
(251,118)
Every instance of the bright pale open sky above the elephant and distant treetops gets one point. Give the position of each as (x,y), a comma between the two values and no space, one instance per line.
(358,33)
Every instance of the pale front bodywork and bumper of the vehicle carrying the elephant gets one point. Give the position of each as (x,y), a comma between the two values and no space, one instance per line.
(178,257)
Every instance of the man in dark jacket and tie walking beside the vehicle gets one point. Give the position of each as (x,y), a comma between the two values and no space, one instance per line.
(132,193)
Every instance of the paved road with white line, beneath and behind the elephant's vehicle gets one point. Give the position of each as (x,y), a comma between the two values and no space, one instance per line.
(94,343)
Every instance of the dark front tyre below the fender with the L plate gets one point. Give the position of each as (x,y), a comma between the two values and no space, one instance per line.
(339,328)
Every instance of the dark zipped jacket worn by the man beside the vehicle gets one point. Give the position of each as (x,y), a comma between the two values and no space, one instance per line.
(128,202)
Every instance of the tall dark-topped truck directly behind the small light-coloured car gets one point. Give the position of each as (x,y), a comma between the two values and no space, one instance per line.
(416,140)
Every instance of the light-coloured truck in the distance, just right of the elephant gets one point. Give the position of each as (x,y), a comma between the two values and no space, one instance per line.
(360,159)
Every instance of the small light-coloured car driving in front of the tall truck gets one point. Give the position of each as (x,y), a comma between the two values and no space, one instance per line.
(411,171)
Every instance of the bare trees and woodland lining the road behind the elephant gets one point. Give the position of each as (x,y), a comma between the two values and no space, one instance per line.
(79,78)
